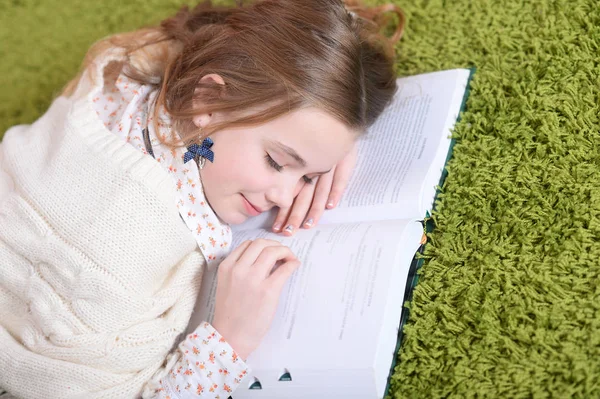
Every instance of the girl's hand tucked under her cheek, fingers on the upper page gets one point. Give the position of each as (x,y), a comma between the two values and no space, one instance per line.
(327,191)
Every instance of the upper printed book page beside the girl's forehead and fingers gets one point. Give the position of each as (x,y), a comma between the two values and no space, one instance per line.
(401,157)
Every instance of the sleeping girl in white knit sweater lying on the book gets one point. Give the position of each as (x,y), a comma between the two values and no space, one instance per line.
(115,201)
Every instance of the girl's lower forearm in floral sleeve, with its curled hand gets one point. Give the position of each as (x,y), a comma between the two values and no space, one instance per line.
(246,300)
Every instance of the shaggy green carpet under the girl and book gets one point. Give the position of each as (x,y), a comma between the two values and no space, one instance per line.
(508,303)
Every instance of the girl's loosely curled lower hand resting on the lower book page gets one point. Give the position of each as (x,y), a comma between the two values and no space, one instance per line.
(248,292)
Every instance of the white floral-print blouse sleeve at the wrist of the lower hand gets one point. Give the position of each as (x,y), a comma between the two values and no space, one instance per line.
(203,366)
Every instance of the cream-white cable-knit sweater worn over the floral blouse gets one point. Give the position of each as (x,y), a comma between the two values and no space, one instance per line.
(93,293)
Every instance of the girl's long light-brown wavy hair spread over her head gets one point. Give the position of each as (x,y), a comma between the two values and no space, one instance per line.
(273,55)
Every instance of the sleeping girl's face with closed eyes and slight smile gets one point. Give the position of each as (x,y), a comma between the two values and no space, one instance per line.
(302,144)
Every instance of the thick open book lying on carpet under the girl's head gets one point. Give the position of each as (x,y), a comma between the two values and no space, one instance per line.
(335,331)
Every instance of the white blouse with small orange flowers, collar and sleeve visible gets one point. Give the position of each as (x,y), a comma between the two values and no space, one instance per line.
(207,367)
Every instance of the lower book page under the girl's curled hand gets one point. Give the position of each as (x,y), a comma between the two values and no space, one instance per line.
(339,298)
